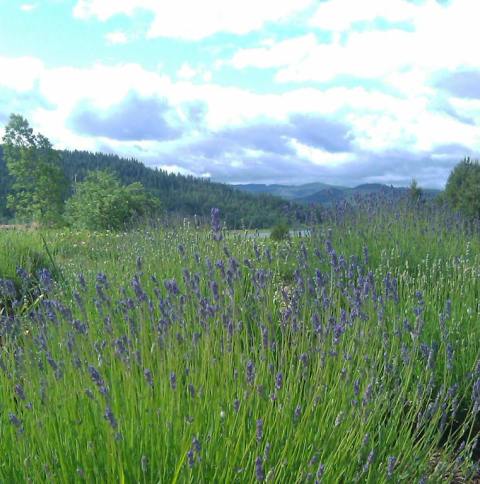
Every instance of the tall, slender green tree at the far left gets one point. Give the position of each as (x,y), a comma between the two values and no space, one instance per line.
(38,180)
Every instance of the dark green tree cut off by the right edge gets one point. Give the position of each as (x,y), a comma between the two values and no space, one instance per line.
(462,191)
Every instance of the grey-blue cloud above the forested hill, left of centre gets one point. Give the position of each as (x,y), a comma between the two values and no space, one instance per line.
(135,119)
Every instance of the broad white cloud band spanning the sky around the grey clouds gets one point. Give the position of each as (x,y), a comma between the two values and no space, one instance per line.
(378,121)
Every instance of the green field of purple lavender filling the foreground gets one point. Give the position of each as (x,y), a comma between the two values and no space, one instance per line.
(349,354)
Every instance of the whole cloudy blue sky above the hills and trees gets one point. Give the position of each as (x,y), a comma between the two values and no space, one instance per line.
(251,91)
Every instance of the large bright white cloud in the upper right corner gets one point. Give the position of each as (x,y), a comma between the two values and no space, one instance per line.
(440,39)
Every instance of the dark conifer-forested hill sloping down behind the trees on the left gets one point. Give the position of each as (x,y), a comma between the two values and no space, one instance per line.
(182,195)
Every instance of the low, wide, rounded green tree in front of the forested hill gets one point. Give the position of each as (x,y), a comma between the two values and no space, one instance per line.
(101,202)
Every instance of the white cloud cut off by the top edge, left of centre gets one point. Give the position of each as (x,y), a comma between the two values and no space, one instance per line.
(195,20)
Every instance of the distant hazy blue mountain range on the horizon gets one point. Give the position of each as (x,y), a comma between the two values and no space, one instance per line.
(326,194)
